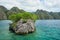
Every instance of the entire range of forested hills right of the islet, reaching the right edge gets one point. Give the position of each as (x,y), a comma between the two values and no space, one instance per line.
(42,14)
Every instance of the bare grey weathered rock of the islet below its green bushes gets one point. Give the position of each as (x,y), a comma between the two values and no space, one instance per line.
(24,28)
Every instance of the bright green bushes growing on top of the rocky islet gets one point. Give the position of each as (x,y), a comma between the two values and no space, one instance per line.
(24,15)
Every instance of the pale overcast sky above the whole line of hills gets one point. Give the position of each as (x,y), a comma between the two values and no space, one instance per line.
(32,5)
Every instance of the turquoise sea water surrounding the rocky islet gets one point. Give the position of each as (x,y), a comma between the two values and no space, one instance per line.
(45,30)
